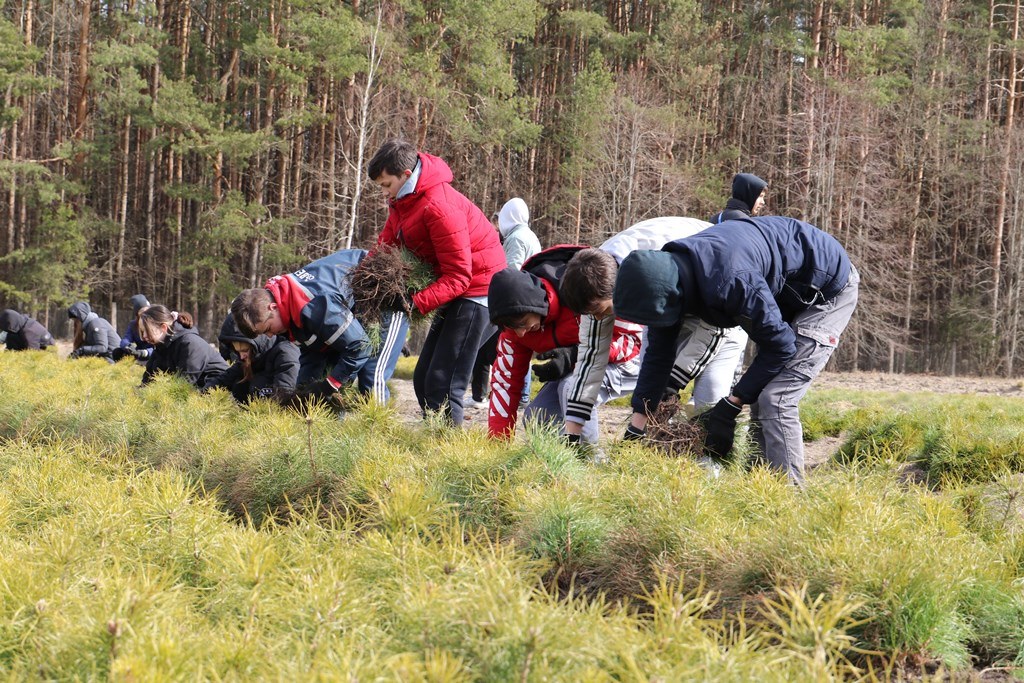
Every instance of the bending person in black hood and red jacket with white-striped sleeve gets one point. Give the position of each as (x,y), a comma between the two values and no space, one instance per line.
(526,305)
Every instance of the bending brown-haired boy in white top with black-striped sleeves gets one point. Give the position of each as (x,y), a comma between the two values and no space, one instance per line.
(707,355)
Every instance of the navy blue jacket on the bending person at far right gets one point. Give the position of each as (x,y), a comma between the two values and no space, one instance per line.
(758,274)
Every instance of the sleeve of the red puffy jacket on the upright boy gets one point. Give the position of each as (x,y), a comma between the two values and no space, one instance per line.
(450,237)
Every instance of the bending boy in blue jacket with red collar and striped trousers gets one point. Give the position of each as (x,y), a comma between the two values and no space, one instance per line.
(314,308)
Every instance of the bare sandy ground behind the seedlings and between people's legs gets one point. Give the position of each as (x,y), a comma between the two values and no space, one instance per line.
(614,417)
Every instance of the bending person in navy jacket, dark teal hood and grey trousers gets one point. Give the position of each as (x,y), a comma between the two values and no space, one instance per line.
(791,286)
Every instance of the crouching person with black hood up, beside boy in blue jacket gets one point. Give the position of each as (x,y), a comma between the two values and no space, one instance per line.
(266,366)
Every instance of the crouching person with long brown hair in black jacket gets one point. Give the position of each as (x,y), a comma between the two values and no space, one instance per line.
(179,349)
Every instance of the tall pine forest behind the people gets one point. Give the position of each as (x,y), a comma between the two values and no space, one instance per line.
(188,150)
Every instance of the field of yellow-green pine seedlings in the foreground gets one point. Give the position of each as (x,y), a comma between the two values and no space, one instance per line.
(158,534)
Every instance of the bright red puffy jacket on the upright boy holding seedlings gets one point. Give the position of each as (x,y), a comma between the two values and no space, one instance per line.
(446,230)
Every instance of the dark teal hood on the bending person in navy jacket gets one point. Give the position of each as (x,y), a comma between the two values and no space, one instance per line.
(648,289)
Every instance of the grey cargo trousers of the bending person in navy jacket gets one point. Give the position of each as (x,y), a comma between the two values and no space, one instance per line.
(776,416)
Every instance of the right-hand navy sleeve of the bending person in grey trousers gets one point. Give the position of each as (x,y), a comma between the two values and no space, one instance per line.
(759,315)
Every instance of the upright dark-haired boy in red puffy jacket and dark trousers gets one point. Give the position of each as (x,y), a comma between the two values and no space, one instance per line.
(444,229)
